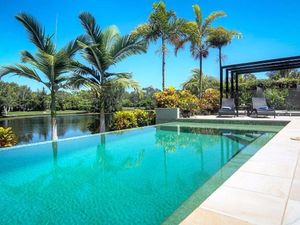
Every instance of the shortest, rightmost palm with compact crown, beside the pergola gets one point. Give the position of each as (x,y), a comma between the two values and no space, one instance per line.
(220,37)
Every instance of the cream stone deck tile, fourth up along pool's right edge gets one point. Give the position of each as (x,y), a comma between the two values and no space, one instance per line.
(271,168)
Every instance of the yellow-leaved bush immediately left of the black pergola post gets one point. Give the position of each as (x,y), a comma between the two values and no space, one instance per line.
(210,101)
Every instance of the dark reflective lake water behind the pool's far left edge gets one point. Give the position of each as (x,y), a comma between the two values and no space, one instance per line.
(38,129)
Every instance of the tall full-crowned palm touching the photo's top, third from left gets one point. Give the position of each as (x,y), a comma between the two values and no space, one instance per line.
(164,25)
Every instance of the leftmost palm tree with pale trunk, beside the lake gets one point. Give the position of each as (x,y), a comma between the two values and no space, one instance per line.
(47,66)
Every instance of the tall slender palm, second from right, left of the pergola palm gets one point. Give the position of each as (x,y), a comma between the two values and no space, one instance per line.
(196,33)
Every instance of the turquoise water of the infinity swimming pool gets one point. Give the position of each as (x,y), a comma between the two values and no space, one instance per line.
(140,176)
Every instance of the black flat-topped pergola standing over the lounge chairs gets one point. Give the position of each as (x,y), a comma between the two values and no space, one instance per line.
(233,71)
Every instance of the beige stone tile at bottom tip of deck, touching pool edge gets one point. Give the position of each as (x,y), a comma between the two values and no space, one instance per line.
(207,217)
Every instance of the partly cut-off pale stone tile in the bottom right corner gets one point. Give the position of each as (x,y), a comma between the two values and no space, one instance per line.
(292,213)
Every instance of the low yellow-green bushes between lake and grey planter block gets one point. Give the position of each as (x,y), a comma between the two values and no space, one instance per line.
(130,119)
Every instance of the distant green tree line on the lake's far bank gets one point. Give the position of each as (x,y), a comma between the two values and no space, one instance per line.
(14,97)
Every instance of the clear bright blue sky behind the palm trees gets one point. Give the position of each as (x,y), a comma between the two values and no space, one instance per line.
(270,29)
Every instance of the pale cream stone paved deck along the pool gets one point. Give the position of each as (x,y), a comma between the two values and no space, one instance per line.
(264,191)
